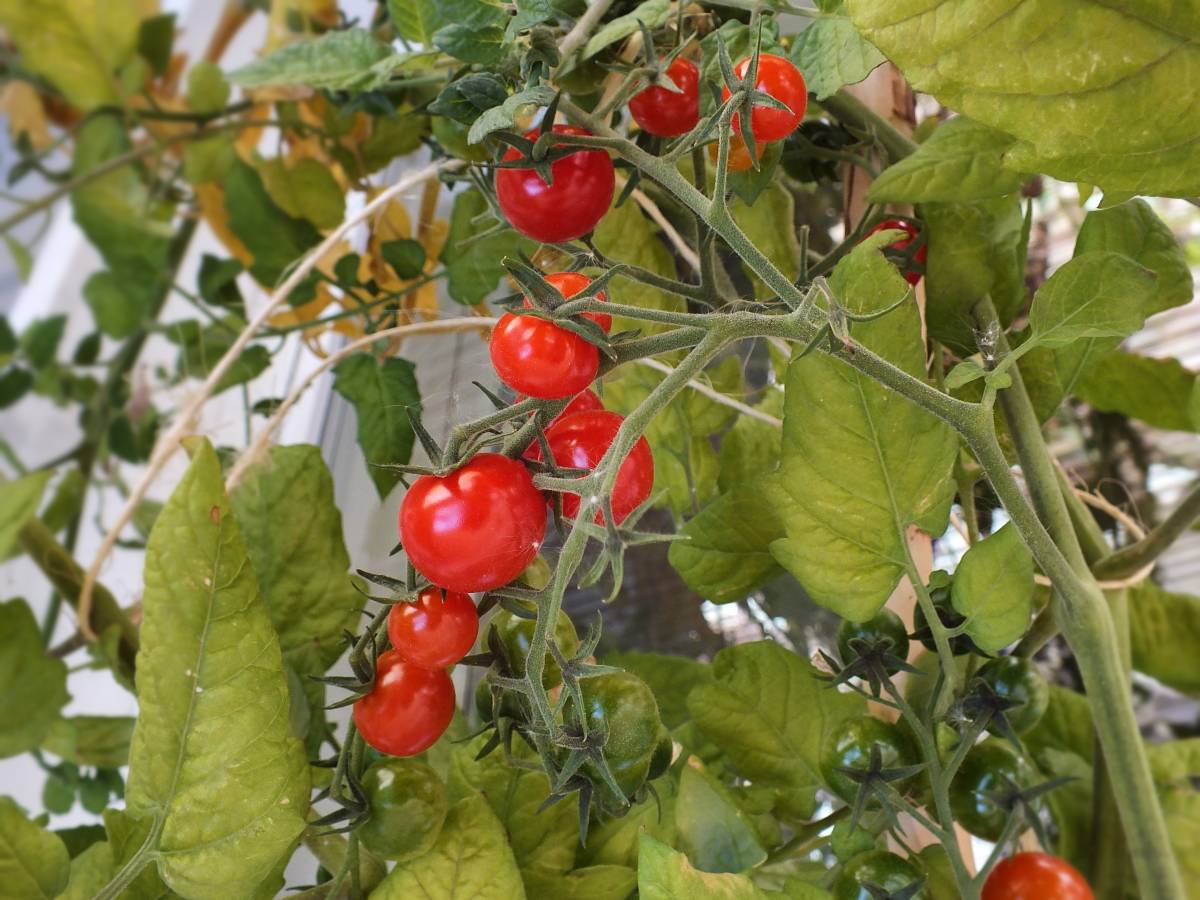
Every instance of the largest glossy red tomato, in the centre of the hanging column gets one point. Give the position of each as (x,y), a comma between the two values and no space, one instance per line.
(476,529)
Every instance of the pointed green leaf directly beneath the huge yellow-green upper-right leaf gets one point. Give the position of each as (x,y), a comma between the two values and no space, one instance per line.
(961,163)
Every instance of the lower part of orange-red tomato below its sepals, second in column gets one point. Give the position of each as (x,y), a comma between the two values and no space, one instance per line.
(538,358)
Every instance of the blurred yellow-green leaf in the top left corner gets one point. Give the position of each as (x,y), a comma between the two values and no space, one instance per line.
(76,45)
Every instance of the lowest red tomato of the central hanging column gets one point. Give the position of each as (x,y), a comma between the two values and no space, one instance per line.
(407,710)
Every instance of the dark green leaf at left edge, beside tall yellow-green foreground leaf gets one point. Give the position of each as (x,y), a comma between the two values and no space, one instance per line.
(34,686)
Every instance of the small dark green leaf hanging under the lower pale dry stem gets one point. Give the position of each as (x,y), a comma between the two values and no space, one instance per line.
(381,394)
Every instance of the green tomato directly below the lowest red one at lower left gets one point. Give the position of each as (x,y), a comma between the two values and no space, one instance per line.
(409,806)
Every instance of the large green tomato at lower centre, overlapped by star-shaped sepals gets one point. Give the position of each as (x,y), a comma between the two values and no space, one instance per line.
(621,706)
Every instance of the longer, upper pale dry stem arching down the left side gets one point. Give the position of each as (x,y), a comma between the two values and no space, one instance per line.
(188,416)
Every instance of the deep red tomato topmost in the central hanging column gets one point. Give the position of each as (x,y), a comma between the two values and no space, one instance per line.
(565,211)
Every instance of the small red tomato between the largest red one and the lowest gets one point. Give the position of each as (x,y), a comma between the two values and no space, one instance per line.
(436,631)
